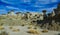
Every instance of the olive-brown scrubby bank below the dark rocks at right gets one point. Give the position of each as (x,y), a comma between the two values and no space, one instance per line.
(52,26)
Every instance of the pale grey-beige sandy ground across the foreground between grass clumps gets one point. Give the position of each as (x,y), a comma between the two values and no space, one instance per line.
(24,29)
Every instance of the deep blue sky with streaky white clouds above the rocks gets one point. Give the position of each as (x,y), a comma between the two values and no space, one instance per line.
(27,5)
